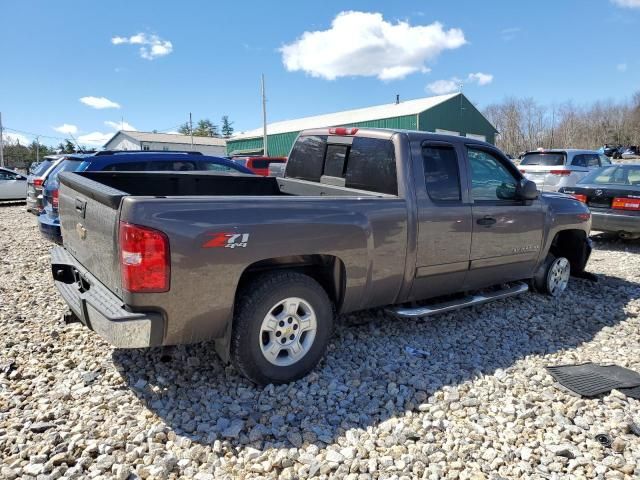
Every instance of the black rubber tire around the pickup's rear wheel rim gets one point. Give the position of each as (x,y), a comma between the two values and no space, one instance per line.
(252,306)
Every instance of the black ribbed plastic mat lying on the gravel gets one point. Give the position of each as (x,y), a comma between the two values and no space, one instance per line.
(590,379)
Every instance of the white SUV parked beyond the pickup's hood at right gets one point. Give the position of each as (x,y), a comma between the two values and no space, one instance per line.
(553,169)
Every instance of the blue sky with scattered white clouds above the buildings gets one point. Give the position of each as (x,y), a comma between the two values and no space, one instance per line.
(89,68)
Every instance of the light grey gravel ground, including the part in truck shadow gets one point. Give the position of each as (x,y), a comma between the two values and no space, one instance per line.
(480,405)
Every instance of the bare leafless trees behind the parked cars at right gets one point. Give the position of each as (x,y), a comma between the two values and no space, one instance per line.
(525,124)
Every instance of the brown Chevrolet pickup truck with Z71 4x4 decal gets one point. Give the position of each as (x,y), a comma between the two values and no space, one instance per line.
(362,218)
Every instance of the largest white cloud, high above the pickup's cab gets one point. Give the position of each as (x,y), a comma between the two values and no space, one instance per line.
(364,44)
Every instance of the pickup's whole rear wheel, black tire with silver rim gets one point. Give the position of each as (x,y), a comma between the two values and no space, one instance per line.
(282,326)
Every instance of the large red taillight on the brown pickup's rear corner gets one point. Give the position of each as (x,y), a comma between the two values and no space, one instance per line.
(144,259)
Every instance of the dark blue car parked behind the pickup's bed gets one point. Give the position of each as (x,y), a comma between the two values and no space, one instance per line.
(136,161)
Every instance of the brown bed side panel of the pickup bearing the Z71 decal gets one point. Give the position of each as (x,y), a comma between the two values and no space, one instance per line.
(368,235)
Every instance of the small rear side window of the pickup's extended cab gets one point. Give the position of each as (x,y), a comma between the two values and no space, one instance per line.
(441,174)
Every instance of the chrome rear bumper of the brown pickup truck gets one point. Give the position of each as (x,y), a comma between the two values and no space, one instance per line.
(99,309)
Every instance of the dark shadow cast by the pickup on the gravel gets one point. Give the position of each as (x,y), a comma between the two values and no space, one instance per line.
(366,376)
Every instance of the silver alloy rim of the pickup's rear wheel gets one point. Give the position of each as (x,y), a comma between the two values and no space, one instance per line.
(288,331)
